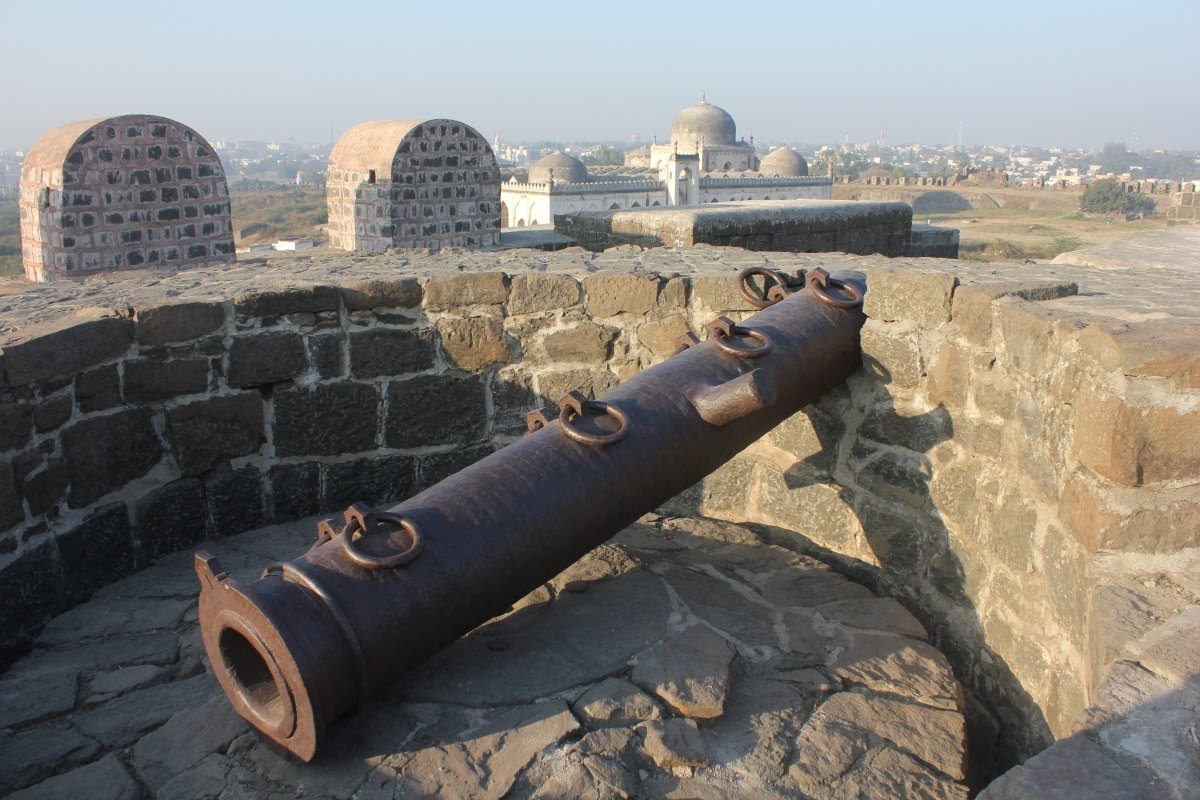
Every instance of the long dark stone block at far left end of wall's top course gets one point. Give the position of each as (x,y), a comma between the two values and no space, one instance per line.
(67,352)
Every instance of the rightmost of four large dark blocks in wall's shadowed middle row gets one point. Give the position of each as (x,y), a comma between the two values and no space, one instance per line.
(435,411)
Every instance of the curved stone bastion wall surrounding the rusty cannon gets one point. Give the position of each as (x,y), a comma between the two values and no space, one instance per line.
(1007,426)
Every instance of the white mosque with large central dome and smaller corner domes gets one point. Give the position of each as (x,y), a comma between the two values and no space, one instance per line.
(705,163)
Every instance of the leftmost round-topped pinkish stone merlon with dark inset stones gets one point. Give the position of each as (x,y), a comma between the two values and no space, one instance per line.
(119,194)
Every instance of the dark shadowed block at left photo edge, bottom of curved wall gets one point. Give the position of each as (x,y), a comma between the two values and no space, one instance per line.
(33,596)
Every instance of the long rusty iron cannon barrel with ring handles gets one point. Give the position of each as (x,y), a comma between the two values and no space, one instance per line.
(313,640)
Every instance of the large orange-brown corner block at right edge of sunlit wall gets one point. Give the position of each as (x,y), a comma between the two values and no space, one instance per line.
(1137,446)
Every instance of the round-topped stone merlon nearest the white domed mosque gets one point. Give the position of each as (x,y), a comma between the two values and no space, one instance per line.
(412,184)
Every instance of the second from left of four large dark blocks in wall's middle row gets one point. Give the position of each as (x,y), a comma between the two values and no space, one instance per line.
(208,434)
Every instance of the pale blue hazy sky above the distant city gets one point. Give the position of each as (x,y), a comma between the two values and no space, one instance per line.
(1049,73)
